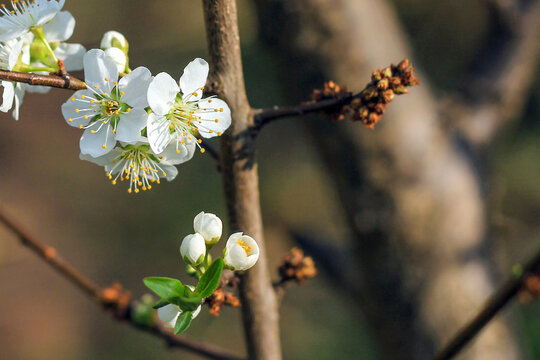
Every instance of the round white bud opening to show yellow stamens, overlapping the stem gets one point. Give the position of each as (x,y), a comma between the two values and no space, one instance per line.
(241,252)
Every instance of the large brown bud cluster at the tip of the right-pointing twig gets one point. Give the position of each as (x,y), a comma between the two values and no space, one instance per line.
(385,84)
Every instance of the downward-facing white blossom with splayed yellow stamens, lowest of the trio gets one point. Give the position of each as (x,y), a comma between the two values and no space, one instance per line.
(139,166)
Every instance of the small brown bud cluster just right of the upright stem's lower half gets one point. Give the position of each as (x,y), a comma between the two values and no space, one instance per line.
(297,267)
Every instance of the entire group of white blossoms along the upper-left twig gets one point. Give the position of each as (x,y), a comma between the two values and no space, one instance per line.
(135,125)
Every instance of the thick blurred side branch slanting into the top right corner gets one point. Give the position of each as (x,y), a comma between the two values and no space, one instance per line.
(503,75)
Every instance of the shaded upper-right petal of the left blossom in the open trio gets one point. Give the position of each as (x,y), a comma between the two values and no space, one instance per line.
(135,86)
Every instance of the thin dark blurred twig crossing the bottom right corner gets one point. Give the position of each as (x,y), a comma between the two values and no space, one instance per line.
(497,301)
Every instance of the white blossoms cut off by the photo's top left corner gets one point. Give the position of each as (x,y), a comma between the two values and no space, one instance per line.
(32,39)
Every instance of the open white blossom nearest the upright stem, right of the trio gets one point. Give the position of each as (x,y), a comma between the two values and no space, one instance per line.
(180,112)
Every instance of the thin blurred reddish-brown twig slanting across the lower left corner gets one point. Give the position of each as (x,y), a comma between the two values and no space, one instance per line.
(121,311)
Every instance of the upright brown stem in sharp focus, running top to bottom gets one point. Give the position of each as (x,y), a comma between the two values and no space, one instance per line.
(240,179)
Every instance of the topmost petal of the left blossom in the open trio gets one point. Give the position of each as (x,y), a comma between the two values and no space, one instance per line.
(99,70)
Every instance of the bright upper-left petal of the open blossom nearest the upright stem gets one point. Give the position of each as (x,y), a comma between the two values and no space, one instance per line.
(162,93)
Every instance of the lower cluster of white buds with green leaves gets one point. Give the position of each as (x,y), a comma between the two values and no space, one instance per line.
(179,303)
